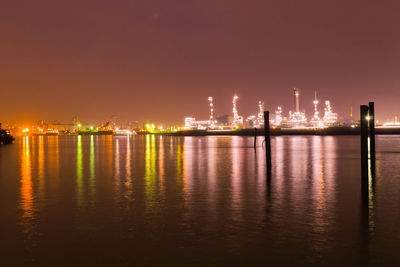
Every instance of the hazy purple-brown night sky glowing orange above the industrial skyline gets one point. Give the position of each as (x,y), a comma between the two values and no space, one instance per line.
(160,60)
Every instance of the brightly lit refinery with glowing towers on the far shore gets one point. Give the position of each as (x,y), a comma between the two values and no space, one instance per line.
(295,119)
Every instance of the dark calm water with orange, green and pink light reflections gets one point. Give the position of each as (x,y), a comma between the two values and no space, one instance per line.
(146,200)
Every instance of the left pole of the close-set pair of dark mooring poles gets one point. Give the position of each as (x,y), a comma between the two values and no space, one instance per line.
(364,143)
